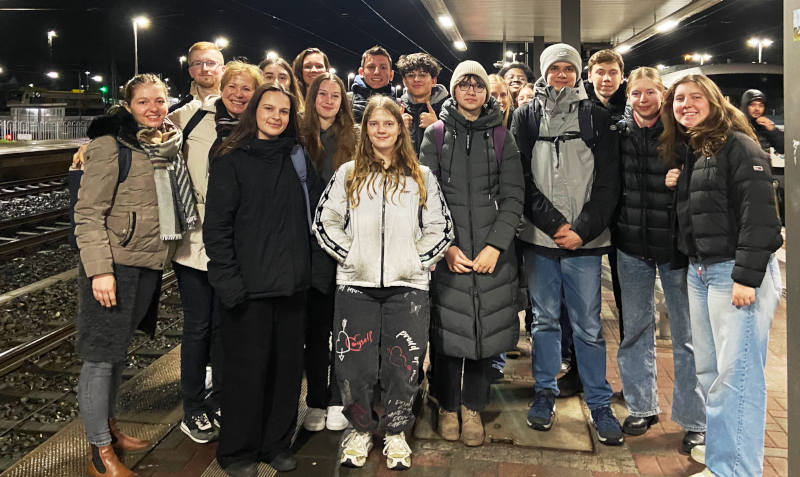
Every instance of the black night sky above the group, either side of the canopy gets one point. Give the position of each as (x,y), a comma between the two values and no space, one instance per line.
(97,36)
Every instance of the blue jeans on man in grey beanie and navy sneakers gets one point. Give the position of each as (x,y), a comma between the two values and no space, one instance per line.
(579,277)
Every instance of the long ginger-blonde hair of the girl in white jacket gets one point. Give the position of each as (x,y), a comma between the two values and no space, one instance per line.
(367,168)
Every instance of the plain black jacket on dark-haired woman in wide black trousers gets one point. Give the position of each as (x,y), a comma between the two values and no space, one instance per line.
(256,229)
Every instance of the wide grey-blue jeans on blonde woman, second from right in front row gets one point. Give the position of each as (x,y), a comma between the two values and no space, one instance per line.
(637,356)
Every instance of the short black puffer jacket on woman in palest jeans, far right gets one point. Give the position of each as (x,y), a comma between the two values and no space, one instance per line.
(726,209)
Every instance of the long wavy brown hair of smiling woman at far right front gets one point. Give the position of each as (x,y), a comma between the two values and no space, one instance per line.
(708,137)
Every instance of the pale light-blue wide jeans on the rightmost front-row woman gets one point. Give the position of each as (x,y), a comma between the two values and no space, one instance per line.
(730,354)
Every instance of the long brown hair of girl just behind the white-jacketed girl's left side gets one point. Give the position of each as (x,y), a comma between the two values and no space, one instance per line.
(343,125)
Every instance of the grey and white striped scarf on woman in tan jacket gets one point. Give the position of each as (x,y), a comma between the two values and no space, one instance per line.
(177,209)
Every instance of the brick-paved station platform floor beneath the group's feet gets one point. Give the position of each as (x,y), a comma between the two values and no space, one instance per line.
(150,408)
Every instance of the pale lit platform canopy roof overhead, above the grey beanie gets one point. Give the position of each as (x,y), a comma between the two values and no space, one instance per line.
(612,22)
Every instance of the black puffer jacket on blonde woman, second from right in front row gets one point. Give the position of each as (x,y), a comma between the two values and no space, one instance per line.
(645,213)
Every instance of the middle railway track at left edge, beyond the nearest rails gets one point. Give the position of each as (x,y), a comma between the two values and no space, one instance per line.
(34,230)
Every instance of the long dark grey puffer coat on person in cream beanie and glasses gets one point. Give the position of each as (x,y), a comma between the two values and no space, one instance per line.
(475,315)
